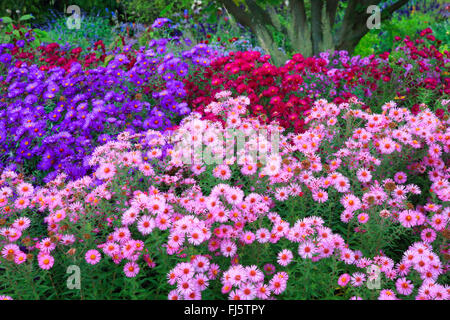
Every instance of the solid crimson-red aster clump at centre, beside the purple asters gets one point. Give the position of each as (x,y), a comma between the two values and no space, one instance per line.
(249,73)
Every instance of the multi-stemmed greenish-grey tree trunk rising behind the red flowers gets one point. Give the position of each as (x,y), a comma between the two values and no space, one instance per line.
(309,38)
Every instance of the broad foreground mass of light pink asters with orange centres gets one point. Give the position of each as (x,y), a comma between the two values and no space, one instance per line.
(144,204)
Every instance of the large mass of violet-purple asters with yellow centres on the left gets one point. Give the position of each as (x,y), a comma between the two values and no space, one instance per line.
(53,115)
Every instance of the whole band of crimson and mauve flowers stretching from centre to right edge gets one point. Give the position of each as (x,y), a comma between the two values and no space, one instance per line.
(287,93)
